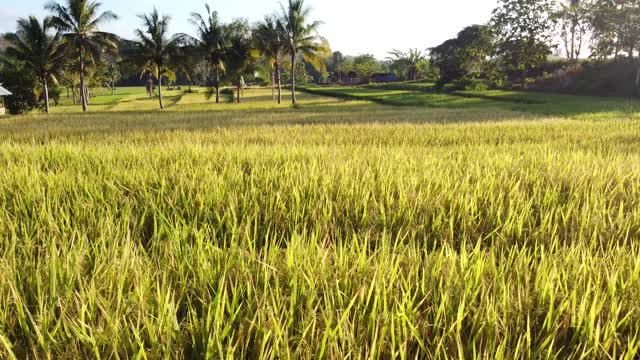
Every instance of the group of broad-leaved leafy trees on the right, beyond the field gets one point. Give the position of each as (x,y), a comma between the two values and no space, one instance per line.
(522,35)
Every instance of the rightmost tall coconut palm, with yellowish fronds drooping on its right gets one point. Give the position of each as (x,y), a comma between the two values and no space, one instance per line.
(302,38)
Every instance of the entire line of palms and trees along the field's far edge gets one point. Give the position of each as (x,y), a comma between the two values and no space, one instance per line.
(68,49)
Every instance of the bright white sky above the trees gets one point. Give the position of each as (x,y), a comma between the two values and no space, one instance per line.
(353,27)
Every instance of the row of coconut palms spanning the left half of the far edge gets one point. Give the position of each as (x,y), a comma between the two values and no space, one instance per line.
(68,47)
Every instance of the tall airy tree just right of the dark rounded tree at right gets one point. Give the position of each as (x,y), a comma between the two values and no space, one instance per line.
(523,31)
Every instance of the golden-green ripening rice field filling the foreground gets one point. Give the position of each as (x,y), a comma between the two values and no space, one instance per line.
(339,229)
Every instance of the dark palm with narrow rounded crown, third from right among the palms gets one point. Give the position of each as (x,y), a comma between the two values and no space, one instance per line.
(240,54)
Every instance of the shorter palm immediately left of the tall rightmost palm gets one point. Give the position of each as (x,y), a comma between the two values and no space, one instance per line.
(270,42)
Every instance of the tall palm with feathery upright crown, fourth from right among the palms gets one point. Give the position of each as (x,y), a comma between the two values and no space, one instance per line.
(212,39)
